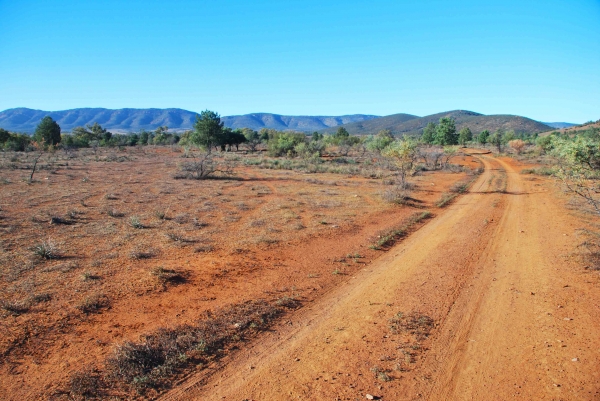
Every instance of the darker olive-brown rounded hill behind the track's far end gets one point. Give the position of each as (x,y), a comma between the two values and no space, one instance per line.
(475,121)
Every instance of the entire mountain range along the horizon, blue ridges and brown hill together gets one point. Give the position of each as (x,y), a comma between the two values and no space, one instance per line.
(131,120)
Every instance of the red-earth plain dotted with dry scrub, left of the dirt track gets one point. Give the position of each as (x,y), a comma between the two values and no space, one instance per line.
(111,265)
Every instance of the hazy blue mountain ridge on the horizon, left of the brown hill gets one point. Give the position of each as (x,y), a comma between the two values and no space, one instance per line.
(25,120)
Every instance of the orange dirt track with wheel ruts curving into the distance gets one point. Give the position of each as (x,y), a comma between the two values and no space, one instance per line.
(496,273)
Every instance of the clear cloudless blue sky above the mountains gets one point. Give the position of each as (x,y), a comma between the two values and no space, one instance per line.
(537,58)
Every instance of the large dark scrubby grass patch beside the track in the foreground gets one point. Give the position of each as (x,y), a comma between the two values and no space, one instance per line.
(153,361)
